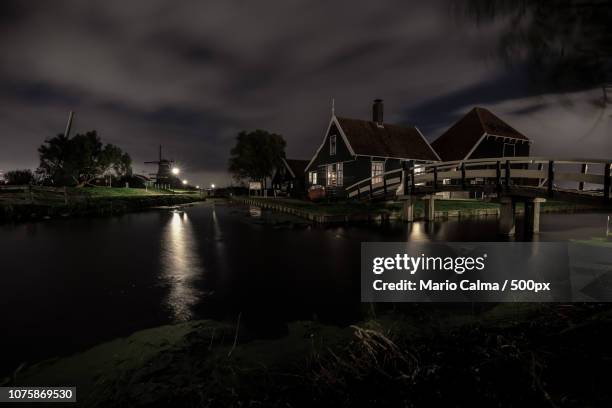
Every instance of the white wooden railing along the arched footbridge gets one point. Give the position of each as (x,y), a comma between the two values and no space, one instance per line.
(550,175)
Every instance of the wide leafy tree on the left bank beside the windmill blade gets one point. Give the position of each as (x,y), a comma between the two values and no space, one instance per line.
(81,159)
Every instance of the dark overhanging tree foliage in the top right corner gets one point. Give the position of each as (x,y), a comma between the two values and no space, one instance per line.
(565,43)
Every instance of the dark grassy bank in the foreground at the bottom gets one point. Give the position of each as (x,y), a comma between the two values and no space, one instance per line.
(425,355)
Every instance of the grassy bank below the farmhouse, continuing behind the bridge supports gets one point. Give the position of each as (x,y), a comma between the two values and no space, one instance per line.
(355,211)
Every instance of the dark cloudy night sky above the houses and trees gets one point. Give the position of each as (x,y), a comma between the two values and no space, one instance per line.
(191,74)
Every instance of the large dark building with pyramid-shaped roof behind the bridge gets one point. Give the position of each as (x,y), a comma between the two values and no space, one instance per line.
(480,134)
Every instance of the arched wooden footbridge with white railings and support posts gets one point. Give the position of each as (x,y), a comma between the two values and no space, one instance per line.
(508,180)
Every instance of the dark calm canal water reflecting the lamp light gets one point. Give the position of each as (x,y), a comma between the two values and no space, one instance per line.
(66,285)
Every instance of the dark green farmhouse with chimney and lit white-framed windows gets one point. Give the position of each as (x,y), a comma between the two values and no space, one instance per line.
(353,150)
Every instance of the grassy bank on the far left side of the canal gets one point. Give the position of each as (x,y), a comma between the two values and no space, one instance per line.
(91,201)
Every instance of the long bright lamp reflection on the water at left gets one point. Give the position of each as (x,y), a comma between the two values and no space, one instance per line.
(181,266)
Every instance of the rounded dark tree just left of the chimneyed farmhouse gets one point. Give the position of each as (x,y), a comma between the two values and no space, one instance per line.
(256,155)
